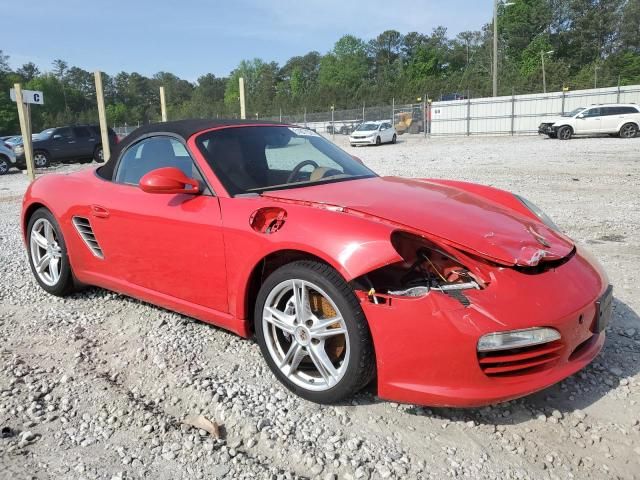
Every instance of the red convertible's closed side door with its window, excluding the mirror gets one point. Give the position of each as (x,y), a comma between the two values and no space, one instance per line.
(170,244)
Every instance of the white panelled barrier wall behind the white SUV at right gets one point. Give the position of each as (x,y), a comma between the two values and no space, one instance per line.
(518,114)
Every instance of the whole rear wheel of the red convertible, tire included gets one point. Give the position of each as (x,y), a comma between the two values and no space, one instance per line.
(48,254)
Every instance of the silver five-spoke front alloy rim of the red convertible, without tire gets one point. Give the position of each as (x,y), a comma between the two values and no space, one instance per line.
(306,335)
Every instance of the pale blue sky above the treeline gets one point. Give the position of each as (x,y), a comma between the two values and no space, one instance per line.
(192,37)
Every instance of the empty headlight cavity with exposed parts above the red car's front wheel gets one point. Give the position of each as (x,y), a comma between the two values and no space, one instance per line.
(425,267)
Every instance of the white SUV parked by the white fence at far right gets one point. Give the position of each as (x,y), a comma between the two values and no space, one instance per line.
(621,120)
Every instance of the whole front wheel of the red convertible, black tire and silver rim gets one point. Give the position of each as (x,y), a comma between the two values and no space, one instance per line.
(312,332)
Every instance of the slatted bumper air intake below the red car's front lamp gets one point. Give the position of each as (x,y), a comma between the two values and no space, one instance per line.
(519,361)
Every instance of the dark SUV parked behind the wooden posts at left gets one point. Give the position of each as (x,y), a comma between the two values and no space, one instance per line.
(81,143)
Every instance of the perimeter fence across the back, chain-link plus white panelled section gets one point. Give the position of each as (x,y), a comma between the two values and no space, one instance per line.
(506,115)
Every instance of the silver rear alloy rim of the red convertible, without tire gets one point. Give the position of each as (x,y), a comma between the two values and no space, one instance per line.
(46,253)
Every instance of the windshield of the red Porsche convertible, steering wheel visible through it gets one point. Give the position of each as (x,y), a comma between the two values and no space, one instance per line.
(260,158)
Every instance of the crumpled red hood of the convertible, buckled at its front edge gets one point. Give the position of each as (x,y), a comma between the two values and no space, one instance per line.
(464,220)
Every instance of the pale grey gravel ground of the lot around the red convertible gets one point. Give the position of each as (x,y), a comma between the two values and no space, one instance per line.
(98,385)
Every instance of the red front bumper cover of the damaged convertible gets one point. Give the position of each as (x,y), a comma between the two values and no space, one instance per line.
(426,347)
